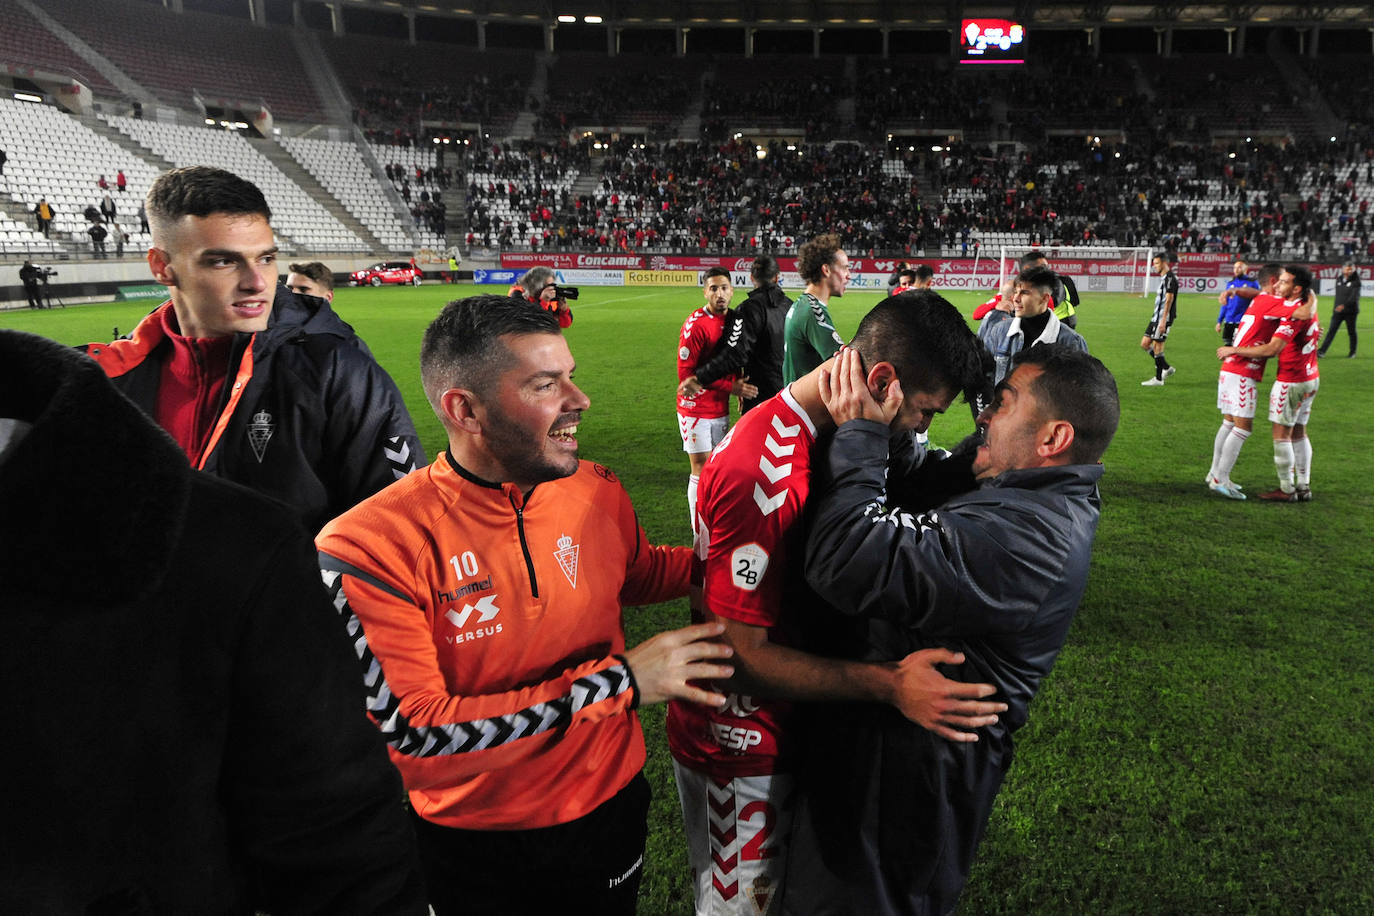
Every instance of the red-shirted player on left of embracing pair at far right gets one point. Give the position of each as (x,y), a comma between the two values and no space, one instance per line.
(1240,380)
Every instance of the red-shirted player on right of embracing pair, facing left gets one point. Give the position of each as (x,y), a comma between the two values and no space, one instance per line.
(1295,387)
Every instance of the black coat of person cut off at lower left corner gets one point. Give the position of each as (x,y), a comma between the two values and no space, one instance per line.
(185,708)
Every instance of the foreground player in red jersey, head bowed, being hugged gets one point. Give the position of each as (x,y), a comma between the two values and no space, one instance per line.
(733,763)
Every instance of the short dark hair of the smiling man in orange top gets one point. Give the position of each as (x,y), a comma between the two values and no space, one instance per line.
(462,348)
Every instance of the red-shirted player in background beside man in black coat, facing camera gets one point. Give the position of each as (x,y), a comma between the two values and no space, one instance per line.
(704,418)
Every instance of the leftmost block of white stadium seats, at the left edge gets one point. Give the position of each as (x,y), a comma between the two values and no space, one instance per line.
(56,157)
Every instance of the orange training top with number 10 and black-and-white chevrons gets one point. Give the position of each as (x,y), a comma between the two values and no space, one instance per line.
(490,630)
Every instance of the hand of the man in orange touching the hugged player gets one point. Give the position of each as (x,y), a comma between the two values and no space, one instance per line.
(666,665)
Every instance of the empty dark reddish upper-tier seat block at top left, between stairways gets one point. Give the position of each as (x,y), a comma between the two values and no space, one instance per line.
(179,56)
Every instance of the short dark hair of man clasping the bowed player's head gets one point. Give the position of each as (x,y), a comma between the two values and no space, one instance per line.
(1077,388)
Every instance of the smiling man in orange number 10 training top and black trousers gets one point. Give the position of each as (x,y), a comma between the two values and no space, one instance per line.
(484,595)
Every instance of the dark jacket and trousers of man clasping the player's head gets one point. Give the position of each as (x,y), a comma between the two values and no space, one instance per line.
(891,814)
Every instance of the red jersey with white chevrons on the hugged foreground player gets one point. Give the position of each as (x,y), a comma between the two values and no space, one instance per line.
(748,505)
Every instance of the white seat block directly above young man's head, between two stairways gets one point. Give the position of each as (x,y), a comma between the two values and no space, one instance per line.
(295,215)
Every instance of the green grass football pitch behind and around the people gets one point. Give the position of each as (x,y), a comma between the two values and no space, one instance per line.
(1206,741)
